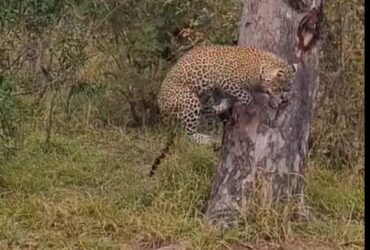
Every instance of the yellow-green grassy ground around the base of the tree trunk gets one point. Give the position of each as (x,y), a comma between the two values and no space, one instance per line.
(89,190)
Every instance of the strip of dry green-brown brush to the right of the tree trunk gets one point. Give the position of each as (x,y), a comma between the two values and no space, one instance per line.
(338,129)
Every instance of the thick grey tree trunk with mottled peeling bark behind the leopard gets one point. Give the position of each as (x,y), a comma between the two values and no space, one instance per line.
(263,149)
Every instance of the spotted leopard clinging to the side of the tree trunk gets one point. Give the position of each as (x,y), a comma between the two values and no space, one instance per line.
(235,70)
